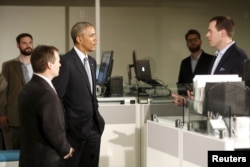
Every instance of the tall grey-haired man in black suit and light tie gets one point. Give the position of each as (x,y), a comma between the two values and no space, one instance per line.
(77,91)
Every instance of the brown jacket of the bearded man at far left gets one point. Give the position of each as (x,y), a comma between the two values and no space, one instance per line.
(13,74)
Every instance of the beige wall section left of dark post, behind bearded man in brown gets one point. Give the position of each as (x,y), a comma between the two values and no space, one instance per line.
(46,24)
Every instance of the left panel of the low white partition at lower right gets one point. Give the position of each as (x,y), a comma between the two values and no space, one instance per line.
(163,145)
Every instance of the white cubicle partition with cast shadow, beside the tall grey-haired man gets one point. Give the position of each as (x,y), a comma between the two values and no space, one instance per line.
(121,138)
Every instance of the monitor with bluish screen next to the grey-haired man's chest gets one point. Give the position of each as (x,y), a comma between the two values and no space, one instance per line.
(105,68)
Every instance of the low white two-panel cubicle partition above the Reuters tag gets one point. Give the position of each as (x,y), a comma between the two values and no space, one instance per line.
(171,146)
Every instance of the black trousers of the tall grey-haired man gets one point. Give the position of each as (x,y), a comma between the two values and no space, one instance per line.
(87,152)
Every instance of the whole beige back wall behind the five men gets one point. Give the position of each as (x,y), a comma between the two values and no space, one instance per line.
(156,33)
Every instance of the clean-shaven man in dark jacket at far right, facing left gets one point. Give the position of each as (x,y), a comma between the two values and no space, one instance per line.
(230,58)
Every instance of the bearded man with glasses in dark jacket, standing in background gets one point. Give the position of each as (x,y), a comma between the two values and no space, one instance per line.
(197,63)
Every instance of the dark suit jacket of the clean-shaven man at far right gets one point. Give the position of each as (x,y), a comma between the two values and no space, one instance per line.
(231,62)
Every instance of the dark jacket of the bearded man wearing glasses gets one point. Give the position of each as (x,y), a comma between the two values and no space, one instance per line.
(186,74)
